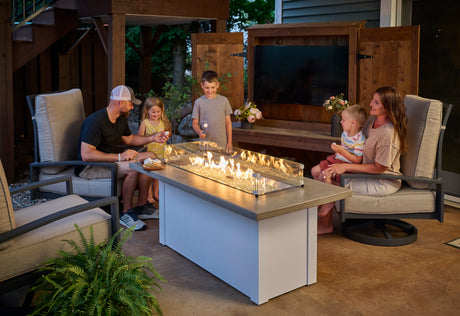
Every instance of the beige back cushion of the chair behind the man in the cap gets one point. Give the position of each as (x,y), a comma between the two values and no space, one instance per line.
(59,117)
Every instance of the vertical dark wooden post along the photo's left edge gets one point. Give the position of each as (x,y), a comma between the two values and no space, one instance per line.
(6,92)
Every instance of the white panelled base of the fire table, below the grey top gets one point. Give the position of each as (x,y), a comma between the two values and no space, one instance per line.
(262,259)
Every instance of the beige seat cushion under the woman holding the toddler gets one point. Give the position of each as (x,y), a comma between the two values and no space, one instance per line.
(406,200)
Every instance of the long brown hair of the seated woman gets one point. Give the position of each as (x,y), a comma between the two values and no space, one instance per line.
(396,112)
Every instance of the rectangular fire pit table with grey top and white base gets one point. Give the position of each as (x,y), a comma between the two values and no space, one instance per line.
(262,246)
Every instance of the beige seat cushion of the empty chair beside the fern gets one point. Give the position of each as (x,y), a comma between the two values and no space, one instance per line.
(43,243)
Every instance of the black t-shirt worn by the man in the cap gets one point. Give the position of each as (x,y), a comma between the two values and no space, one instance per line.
(97,130)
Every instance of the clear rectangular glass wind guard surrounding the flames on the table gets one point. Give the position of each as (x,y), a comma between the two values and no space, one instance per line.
(245,170)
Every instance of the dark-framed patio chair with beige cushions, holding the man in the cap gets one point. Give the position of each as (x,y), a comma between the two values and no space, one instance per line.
(57,119)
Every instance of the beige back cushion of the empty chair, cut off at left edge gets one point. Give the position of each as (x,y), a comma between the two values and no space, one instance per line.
(7,221)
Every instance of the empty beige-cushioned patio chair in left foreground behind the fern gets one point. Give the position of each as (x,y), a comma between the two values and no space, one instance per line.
(31,235)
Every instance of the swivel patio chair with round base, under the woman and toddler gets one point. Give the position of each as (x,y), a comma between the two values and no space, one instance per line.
(377,220)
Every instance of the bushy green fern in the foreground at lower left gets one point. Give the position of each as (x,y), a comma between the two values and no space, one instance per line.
(97,279)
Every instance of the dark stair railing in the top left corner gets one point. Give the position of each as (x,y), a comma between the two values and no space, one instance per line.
(24,11)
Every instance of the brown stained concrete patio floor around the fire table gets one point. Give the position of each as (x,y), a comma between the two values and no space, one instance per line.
(422,278)
